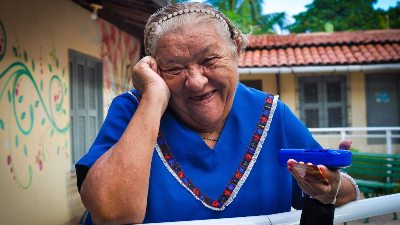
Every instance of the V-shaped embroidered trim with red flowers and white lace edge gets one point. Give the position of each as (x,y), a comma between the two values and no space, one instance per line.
(241,173)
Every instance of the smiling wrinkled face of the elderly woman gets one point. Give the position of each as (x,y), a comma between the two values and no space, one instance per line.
(200,69)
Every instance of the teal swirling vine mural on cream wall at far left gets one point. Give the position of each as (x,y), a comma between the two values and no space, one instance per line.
(33,115)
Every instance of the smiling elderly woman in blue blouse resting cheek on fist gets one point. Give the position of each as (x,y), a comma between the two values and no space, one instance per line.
(191,142)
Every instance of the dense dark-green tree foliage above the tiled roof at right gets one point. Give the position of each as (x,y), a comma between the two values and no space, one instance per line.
(343,14)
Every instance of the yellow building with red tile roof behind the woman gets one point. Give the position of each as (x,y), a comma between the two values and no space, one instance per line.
(338,79)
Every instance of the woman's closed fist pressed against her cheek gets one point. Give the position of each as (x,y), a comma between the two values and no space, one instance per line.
(147,80)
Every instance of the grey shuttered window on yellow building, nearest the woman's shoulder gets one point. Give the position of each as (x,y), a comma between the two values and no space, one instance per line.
(323,101)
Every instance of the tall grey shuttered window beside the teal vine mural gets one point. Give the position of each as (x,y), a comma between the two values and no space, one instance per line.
(86,102)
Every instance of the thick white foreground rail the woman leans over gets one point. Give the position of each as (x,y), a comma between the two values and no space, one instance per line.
(352,211)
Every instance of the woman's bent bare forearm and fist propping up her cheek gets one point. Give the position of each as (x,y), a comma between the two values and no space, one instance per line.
(108,191)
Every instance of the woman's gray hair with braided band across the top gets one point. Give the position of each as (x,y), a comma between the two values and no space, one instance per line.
(175,17)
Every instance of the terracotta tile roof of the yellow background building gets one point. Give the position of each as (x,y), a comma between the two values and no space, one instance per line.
(338,48)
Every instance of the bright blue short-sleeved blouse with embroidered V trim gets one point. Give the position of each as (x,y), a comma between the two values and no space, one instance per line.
(239,177)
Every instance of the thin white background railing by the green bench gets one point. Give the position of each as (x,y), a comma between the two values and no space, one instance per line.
(342,133)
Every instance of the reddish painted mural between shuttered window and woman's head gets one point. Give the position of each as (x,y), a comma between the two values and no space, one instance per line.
(119,52)
